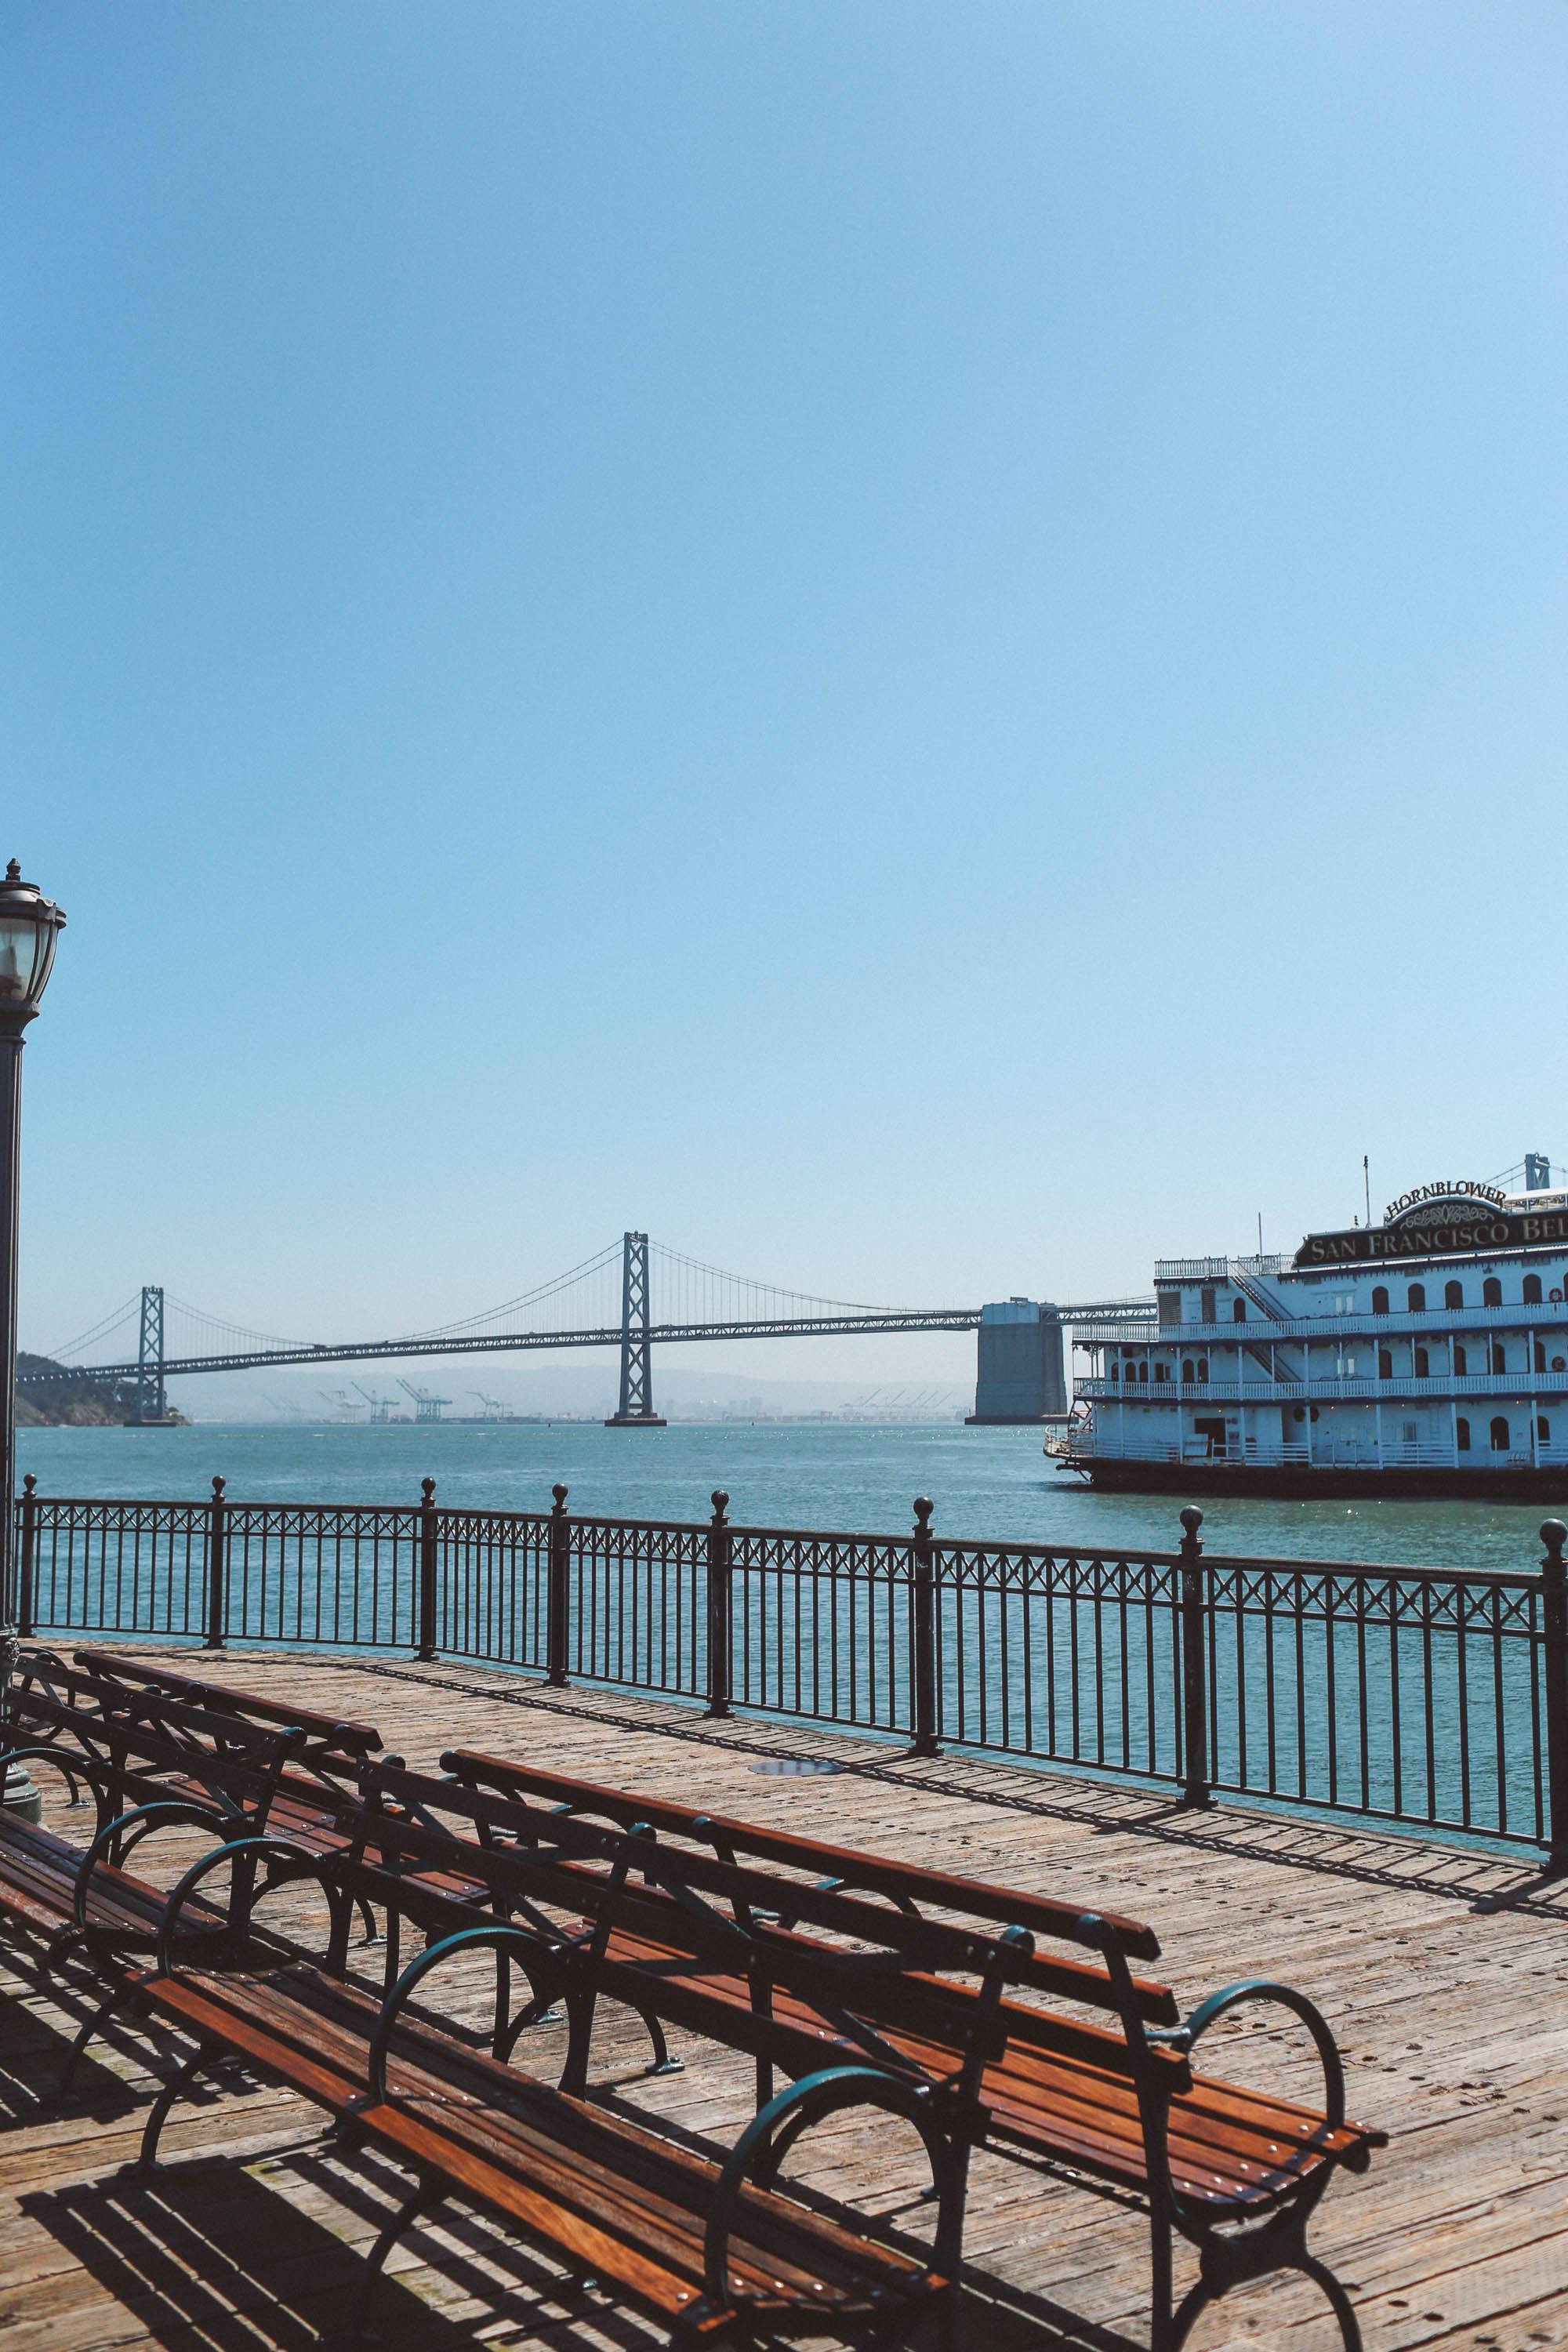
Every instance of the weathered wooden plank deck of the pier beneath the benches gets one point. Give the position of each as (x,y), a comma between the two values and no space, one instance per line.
(1442,1975)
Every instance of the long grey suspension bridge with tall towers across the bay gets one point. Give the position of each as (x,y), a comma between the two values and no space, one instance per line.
(634,1295)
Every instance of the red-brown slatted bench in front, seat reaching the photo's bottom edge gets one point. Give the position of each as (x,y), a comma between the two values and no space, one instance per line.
(706,2247)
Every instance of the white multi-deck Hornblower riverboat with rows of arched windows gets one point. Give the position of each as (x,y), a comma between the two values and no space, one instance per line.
(1423,1356)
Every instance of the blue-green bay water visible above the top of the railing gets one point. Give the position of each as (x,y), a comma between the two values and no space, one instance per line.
(984,1483)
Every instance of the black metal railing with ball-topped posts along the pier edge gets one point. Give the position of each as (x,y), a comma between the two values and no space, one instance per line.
(1416,1697)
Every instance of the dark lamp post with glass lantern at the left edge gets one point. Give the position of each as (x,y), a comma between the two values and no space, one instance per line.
(29,928)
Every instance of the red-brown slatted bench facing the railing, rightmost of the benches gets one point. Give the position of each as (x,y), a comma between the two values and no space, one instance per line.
(1226,2167)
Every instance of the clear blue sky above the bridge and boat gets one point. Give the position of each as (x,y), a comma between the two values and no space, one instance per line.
(920,648)
